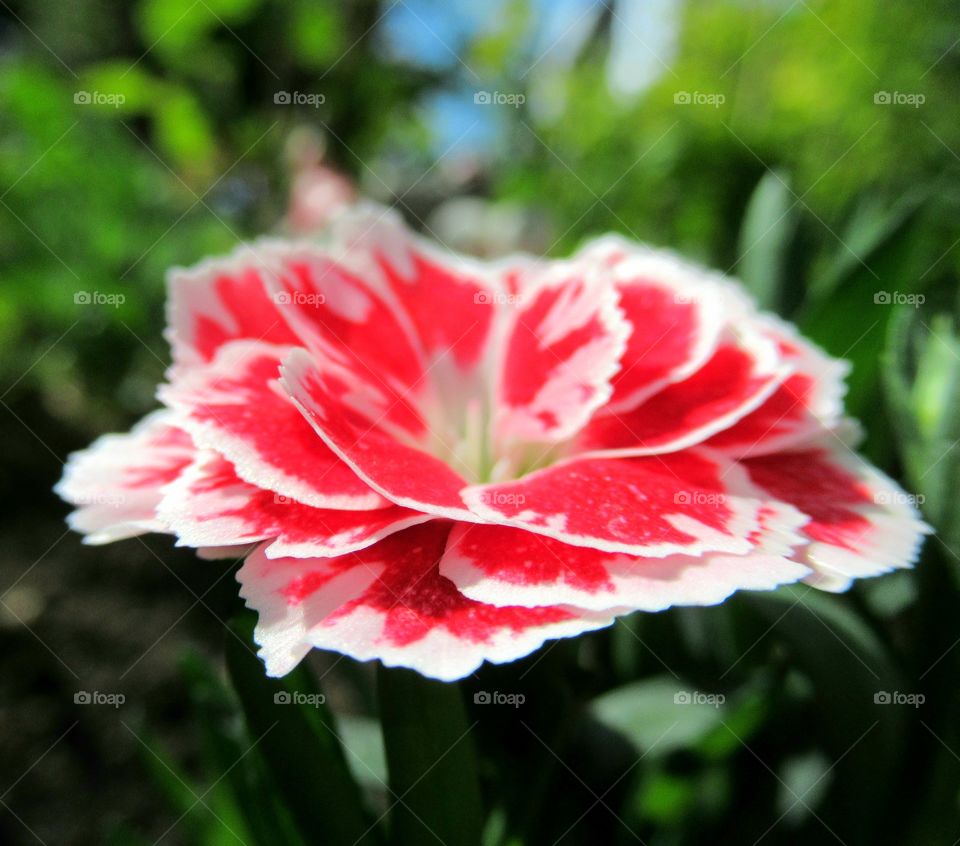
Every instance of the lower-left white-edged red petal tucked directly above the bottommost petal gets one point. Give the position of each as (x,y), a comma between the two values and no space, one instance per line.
(210,506)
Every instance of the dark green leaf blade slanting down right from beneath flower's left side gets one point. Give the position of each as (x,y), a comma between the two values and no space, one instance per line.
(300,746)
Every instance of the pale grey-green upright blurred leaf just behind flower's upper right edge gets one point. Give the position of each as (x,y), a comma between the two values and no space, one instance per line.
(768,227)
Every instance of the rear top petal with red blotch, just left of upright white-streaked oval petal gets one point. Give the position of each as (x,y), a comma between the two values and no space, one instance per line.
(424,283)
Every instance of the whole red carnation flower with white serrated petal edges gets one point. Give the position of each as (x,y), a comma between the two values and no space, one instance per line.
(436,462)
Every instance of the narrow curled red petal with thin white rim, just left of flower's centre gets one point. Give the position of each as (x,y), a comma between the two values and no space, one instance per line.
(399,471)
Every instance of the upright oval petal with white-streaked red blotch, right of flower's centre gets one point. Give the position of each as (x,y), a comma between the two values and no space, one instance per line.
(562,348)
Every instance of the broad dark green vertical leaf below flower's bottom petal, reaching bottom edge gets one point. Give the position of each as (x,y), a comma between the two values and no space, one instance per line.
(431,761)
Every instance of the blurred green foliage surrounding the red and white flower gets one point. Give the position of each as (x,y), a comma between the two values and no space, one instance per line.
(797,175)
